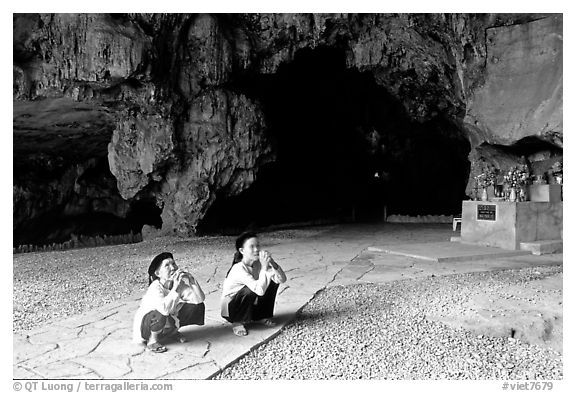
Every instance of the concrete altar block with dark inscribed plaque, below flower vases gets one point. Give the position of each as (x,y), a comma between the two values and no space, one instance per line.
(507,224)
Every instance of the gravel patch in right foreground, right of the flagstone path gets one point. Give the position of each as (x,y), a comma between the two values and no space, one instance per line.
(369,331)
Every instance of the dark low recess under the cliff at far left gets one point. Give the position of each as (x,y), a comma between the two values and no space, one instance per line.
(93,208)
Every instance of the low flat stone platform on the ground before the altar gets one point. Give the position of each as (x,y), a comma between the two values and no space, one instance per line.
(447,251)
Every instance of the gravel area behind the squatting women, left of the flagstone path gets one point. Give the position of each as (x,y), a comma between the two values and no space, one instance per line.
(58,284)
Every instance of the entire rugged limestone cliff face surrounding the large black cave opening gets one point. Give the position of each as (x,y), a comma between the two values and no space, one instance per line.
(161,91)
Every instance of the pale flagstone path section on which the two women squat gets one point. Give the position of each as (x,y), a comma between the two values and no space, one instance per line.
(97,344)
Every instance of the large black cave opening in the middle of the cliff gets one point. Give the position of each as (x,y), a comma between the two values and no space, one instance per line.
(345,149)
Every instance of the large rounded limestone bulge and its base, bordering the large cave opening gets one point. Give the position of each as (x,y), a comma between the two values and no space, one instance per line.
(225,143)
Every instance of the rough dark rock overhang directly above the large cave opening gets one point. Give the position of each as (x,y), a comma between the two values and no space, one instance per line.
(412,55)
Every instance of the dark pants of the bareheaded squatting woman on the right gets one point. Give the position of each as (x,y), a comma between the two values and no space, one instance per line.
(246,306)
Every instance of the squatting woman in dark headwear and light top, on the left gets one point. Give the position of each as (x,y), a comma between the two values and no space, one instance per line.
(174,298)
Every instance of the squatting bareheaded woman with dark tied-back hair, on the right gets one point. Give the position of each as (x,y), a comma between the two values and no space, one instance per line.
(250,287)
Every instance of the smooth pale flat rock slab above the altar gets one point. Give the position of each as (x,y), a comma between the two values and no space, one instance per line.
(522,93)
